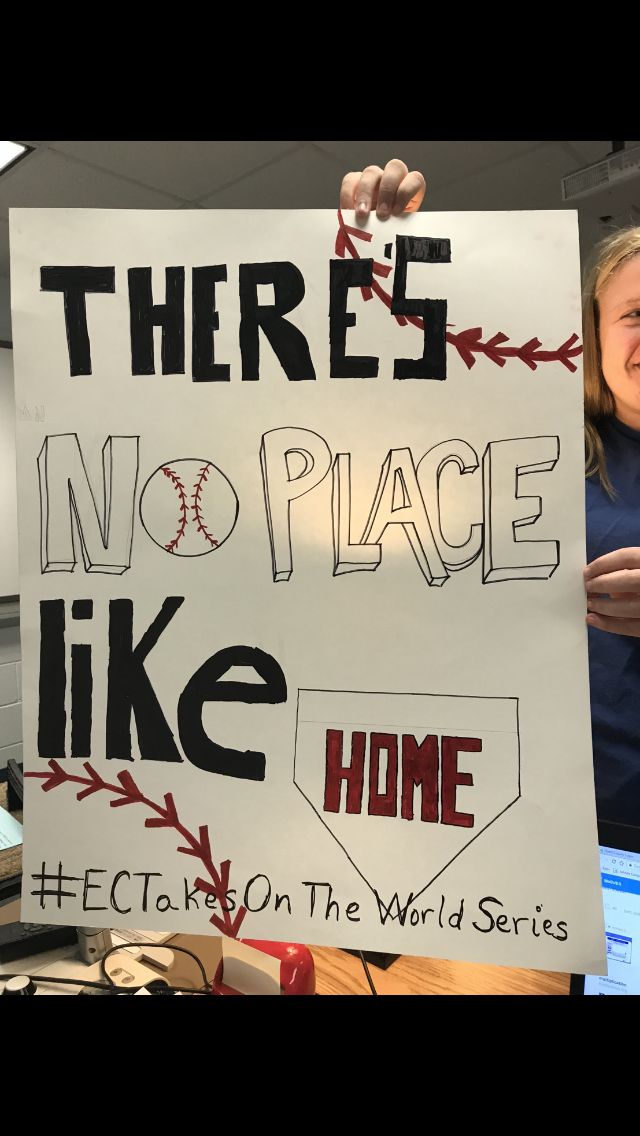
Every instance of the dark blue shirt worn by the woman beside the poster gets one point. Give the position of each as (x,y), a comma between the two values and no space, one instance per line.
(614,661)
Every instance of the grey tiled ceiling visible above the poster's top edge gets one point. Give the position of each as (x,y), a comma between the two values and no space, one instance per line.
(284,176)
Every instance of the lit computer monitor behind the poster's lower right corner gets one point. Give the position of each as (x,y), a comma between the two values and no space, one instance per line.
(620,872)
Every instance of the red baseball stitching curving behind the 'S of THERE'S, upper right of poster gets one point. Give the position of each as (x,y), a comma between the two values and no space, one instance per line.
(468,343)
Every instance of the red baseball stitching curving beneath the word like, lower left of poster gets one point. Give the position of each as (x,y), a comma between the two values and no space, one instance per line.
(129,793)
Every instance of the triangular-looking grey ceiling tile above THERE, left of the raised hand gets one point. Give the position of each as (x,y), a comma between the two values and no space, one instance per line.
(186,170)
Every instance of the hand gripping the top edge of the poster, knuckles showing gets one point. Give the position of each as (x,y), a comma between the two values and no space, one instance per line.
(390,191)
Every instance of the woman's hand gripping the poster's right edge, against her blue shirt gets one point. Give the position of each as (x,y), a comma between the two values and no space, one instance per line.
(613,592)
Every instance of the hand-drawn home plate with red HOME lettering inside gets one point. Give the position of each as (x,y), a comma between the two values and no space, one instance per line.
(435,772)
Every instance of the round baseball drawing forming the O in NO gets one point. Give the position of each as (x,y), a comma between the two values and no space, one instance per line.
(188,507)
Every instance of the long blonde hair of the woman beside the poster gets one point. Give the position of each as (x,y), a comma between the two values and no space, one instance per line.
(600,403)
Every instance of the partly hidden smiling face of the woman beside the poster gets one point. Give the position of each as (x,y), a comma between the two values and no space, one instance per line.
(620,339)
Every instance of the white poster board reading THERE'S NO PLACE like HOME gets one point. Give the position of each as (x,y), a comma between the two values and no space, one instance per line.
(304,642)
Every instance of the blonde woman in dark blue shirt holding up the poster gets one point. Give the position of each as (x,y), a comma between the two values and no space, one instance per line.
(612,427)
